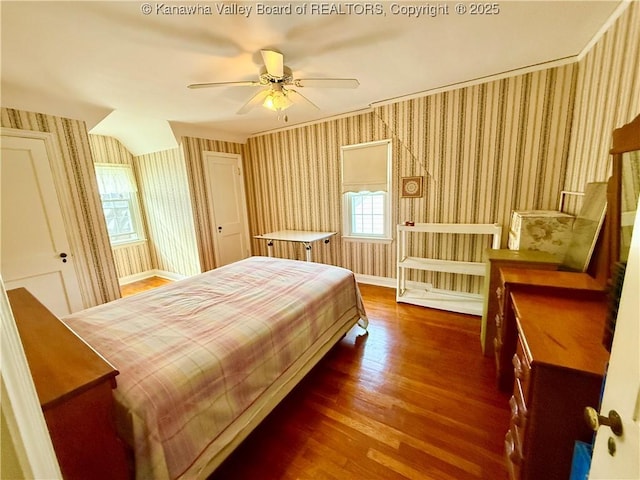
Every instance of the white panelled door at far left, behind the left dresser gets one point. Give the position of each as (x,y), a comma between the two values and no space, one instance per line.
(34,248)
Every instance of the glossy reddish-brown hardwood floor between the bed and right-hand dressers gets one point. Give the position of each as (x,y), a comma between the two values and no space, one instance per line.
(414,399)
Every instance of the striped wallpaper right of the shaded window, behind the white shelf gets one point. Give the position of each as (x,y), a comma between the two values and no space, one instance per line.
(485,150)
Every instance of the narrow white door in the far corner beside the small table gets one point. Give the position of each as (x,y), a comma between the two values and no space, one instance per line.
(228,207)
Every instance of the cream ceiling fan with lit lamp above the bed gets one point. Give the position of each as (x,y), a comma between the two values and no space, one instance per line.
(278,80)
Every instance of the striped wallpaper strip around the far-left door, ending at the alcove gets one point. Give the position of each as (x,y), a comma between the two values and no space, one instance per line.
(76,185)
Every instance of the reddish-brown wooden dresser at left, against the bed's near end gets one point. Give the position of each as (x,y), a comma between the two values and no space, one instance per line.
(74,385)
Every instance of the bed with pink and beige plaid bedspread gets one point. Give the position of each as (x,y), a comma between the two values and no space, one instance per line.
(203,360)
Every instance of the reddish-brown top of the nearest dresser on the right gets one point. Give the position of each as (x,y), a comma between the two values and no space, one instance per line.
(562,331)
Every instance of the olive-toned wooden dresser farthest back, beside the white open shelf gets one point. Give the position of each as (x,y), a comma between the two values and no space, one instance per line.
(495,260)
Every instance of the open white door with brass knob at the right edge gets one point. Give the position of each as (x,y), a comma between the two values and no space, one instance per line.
(622,385)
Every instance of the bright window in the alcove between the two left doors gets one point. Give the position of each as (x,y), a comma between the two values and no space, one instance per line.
(119,196)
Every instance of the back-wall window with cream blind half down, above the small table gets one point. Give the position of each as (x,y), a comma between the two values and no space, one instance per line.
(366,185)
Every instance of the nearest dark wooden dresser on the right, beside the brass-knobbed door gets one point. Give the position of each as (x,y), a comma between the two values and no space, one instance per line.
(558,366)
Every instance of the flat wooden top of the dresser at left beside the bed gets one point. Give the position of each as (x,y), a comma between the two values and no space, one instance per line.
(61,363)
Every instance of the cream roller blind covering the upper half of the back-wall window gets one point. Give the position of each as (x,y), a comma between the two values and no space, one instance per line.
(365,168)
